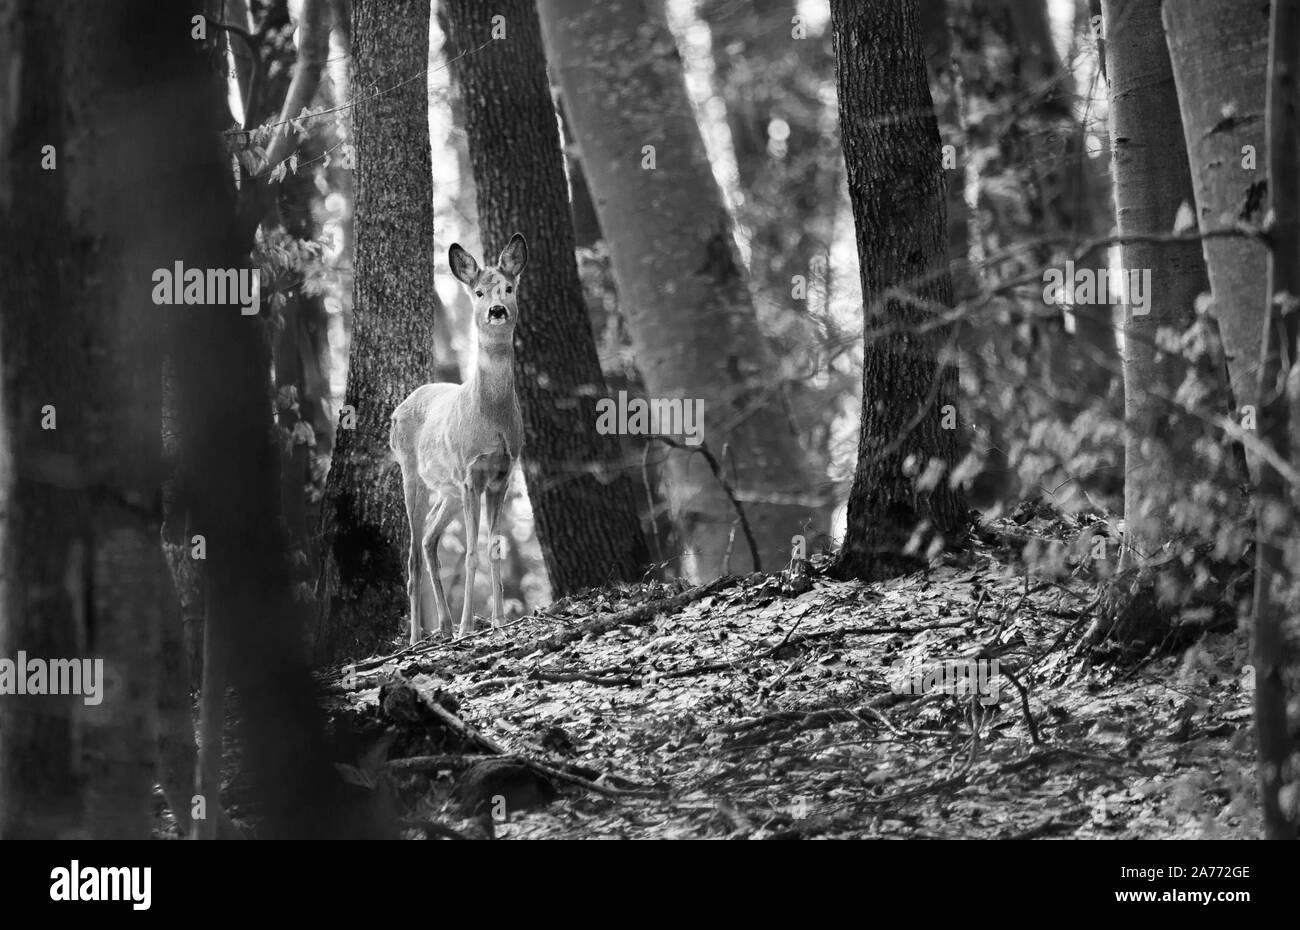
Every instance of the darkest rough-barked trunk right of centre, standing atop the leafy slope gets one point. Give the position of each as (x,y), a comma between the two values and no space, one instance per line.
(892,153)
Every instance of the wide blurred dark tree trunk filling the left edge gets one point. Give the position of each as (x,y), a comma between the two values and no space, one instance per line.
(89,198)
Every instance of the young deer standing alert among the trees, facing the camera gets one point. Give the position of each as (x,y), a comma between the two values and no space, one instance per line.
(457,444)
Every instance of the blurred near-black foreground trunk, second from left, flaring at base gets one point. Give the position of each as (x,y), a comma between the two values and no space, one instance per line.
(254,629)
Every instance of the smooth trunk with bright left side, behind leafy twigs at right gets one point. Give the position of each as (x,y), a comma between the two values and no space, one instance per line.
(1151,183)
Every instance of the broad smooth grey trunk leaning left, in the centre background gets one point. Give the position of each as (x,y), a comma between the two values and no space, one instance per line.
(690,314)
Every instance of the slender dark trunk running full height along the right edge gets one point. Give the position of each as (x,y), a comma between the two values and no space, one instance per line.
(1276,542)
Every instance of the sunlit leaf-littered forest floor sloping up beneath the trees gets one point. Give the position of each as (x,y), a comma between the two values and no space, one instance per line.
(768,707)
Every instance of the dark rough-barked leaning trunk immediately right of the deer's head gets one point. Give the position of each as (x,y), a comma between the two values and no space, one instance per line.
(579,486)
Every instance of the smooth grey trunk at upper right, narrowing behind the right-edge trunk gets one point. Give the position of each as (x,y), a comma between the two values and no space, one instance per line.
(1219,50)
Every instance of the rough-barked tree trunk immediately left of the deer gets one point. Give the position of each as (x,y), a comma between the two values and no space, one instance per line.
(393,349)
